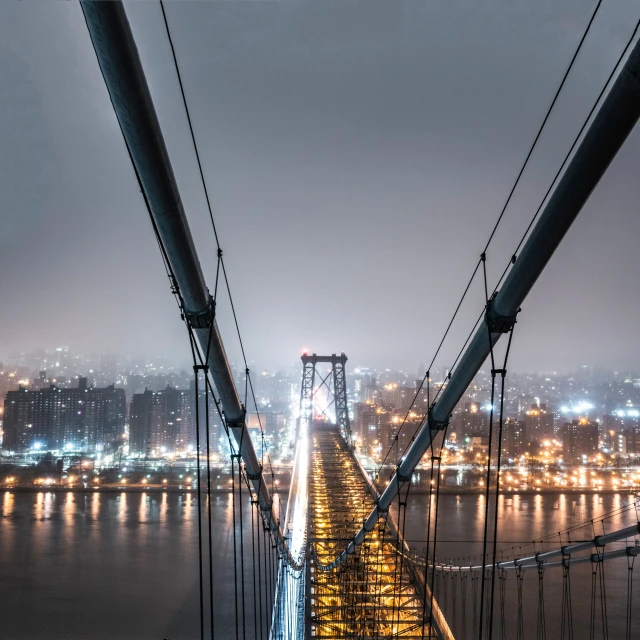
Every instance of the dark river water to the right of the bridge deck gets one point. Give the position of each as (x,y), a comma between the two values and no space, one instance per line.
(523,518)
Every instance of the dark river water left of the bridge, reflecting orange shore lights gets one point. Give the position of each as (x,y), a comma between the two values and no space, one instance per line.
(112,566)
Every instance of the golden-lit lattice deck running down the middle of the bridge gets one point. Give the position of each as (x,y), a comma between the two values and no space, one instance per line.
(376,593)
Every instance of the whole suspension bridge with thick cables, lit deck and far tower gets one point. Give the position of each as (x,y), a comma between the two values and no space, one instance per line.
(332,561)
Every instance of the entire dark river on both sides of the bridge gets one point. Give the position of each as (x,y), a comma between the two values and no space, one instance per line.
(119,566)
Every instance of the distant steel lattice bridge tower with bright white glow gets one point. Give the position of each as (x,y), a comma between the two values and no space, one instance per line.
(330,384)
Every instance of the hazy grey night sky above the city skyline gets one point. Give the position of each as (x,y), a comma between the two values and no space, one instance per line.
(357,154)
